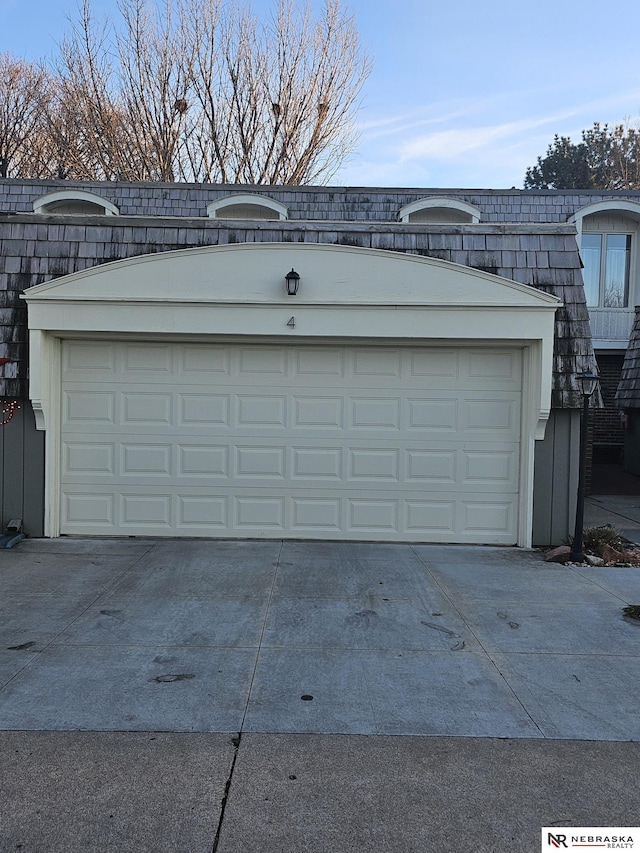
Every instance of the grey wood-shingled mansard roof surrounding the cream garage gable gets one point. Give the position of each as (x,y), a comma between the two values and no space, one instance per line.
(523,236)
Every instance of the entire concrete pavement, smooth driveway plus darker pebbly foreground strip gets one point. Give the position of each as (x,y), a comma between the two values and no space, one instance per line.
(213,696)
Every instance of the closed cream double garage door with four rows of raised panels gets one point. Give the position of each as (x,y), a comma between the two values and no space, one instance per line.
(335,442)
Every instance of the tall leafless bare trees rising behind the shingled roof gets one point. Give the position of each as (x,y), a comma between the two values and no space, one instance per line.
(196,90)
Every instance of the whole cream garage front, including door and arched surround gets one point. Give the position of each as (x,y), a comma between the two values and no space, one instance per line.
(393,398)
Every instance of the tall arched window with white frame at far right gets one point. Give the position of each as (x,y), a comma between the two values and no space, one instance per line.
(609,238)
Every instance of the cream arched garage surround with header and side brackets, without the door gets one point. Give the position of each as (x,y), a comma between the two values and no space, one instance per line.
(238,292)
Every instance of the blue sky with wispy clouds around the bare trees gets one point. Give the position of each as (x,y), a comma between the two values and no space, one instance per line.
(463,94)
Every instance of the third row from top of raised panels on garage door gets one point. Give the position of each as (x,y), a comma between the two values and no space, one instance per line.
(477,467)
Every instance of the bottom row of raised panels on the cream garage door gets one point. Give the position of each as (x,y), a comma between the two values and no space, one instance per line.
(211,513)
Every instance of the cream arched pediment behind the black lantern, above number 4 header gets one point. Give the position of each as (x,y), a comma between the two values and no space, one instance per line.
(254,273)
